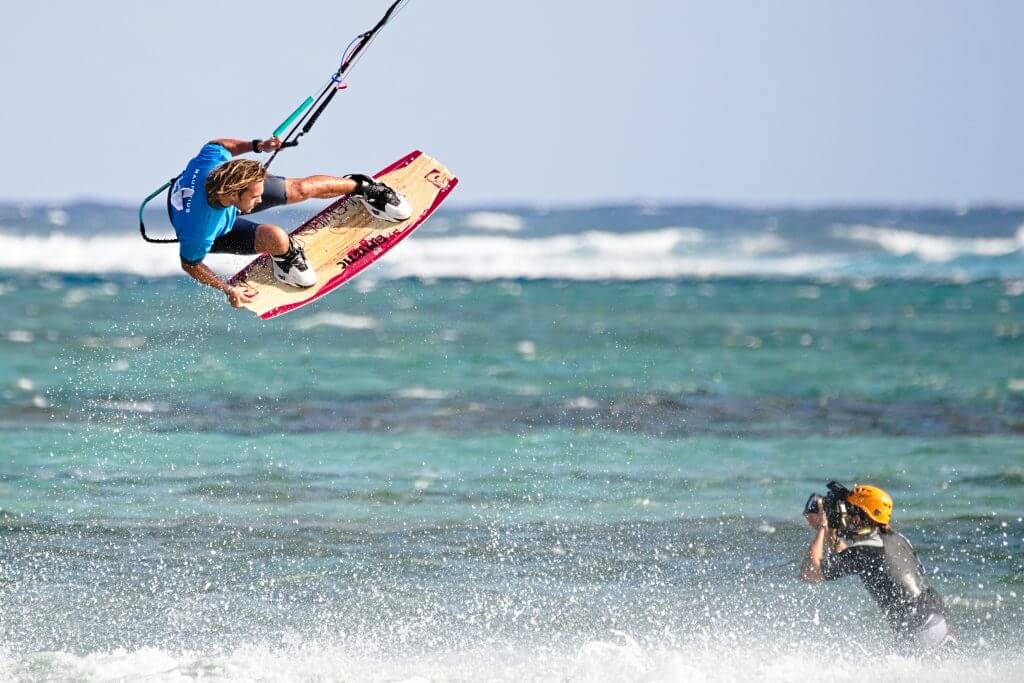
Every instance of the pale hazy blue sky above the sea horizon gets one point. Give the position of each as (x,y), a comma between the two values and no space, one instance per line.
(533,103)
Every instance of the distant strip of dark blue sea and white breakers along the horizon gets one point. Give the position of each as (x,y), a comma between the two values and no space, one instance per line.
(625,243)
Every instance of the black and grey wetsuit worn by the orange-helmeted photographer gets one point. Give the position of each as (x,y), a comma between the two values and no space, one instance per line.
(894,577)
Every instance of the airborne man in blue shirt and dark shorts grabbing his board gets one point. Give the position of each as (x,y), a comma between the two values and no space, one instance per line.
(215,189)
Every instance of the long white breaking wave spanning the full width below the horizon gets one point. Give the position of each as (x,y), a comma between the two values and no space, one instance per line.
(500,247)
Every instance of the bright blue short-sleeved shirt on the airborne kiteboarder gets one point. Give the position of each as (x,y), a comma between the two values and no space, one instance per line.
(196,223)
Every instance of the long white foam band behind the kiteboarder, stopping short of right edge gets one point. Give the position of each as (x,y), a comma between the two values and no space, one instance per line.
(667,252)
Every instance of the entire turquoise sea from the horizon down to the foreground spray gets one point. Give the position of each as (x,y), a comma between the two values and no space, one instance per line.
(567,445)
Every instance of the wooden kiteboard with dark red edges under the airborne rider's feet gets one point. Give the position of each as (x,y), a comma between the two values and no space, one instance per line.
(344,240)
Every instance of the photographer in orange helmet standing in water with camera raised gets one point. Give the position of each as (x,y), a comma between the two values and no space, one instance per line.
(852,536)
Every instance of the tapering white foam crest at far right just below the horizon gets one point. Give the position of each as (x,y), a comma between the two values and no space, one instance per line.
(932,248)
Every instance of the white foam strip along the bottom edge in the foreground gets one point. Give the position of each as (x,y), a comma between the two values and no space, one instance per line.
(620,659)
